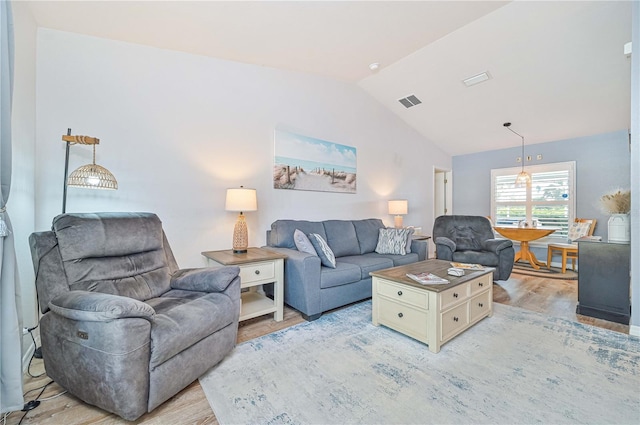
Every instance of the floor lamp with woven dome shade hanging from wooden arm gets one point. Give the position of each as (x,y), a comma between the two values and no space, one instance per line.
(90,176)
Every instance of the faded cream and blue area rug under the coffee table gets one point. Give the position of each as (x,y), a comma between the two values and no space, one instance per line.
(515,367)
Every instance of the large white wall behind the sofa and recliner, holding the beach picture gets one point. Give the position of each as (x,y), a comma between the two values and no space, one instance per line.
(177,130)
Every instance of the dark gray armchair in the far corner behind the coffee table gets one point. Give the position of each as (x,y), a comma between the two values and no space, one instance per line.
(470,239)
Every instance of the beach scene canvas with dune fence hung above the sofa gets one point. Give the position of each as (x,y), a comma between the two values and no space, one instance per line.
(306,163)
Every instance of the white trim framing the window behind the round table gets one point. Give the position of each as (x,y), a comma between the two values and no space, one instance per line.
(541,168)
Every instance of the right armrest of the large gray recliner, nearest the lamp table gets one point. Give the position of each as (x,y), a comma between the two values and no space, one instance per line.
(206,279)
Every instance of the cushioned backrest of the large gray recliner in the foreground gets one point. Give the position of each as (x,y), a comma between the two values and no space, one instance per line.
(116,253)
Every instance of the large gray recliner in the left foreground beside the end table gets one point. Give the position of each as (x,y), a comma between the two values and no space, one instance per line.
(122,327)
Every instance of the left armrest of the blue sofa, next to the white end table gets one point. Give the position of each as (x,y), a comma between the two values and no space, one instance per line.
(301,280)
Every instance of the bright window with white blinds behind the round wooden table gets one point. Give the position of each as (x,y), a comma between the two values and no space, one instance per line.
(549,198)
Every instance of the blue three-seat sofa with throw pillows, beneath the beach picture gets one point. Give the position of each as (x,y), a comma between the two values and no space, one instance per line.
(312,288)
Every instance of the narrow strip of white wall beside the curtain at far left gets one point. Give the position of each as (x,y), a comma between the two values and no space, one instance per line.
(21,199)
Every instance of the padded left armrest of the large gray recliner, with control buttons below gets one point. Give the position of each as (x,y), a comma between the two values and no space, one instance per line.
(98,307)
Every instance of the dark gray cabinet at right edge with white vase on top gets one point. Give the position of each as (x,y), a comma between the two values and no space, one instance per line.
(604,281)
